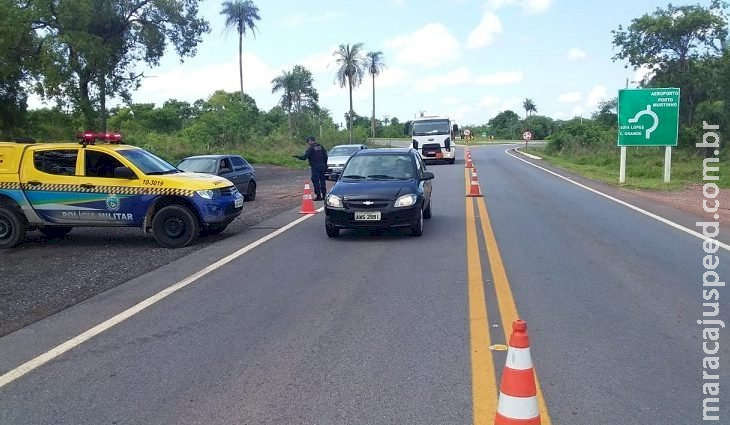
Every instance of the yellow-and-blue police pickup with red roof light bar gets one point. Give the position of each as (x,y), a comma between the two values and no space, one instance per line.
(54,187)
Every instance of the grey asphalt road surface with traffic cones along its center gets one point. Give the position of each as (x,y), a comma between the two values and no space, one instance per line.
(376,329)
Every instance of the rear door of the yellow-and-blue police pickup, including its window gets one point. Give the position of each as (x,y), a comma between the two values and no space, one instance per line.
(49,177)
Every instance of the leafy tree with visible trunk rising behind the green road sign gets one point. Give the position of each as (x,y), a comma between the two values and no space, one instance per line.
(673,39)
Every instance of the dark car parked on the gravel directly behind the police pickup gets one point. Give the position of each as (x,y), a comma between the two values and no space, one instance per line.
(232,167)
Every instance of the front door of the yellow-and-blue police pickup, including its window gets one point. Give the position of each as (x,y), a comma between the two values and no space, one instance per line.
(109,200)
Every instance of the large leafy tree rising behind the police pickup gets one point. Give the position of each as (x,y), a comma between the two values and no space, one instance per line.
(90,47)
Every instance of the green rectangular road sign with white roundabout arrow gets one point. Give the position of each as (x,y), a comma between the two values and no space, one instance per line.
(648,117)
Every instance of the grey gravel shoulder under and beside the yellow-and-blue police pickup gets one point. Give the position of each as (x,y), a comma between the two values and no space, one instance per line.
(41,277)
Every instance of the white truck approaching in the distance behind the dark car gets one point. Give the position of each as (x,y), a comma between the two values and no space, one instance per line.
(433,137)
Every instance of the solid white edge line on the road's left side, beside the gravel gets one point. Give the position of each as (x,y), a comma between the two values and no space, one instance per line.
(51,354)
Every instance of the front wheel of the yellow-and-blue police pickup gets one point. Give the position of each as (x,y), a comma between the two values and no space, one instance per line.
(174,226)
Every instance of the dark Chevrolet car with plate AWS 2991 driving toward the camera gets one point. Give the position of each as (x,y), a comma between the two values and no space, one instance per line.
(380,189)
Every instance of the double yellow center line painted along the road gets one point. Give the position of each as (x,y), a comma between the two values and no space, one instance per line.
(484,382)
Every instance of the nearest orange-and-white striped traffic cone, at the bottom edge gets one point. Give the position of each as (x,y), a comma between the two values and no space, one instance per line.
(518,394)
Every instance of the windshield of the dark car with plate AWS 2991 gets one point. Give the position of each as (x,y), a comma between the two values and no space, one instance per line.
(379,167)
